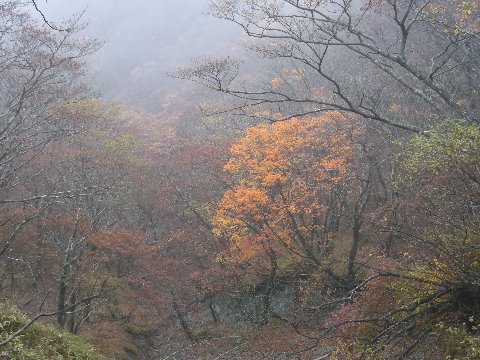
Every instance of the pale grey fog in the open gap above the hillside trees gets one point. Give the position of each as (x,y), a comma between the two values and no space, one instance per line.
(143,41)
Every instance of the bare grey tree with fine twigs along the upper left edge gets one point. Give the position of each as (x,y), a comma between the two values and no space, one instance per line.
(40,71)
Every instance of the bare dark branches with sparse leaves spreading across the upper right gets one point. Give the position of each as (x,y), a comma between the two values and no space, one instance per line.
(356,53)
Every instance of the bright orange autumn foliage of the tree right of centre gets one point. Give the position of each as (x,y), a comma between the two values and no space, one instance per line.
(283,175)
